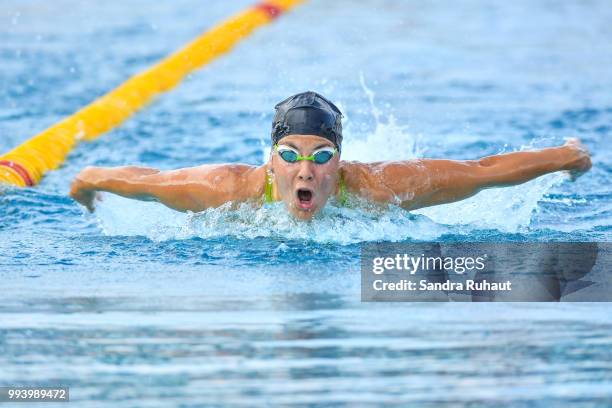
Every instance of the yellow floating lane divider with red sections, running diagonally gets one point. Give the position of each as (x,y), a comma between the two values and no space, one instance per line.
(25,165)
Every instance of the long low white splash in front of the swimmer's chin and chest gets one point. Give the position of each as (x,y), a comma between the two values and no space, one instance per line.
(120,216)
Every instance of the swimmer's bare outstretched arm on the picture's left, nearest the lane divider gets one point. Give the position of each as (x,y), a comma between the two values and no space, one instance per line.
(190,189)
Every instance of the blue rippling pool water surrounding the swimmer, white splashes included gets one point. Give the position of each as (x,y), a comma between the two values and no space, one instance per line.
(140,306)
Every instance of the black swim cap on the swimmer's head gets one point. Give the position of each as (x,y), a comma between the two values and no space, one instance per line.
(307,113)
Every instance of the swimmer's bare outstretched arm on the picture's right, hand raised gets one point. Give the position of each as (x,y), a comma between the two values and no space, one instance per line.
(422,183)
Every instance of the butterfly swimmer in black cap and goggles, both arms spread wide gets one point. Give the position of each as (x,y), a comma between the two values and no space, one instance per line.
(304,170)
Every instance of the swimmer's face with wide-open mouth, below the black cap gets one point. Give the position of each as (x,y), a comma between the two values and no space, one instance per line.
(305,186)
